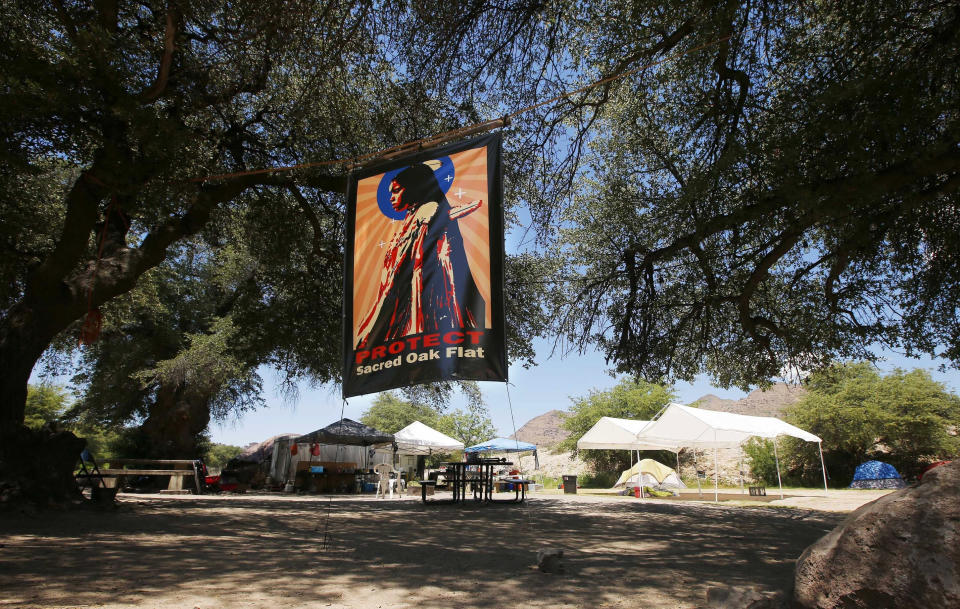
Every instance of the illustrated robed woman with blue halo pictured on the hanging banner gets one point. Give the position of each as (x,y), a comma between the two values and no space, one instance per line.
(425,283)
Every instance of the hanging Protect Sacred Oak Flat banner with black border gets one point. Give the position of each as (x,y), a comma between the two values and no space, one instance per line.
(424,270)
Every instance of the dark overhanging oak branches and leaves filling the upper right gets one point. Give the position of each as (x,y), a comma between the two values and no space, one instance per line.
(784,195)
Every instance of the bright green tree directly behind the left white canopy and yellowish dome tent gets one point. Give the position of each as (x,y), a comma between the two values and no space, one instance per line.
(628,399)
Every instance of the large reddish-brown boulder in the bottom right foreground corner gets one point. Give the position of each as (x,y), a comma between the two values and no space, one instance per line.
(900,551)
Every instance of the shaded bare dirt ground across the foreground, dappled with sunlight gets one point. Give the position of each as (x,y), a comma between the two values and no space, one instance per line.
(252,551)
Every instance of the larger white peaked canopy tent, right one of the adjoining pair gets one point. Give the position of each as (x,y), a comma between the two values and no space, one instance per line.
(680,425)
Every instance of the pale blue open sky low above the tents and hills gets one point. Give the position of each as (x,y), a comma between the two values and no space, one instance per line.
(532,392)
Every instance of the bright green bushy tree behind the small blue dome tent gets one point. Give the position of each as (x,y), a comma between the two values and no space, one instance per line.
(903,418)
